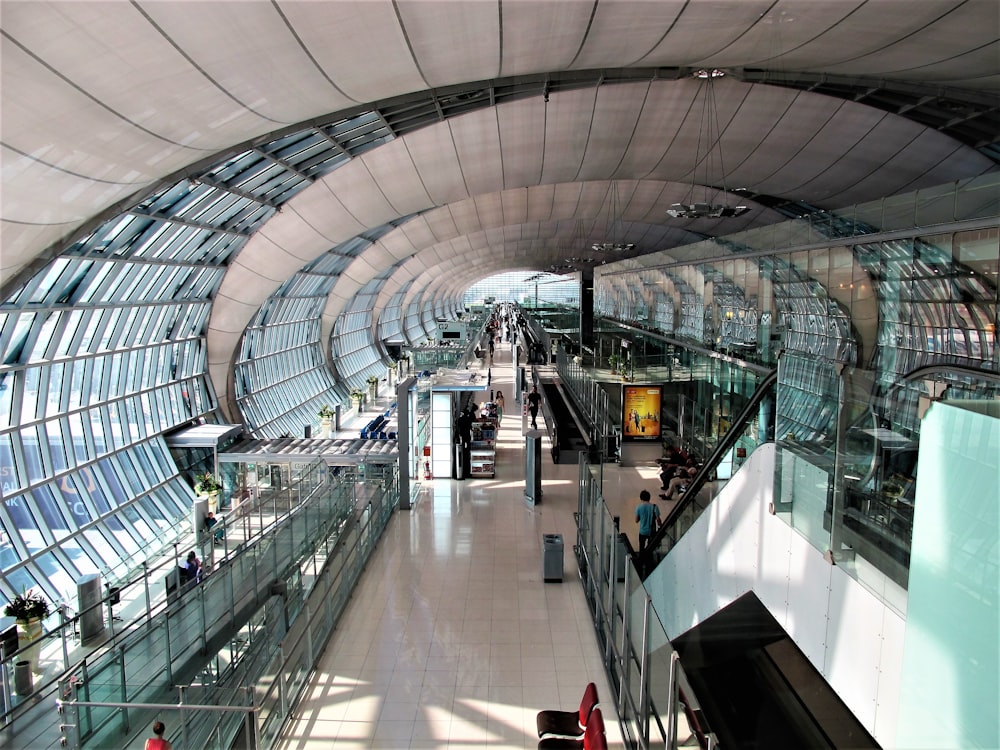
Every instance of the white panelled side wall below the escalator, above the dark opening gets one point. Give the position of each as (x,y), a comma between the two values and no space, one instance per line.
(847,633)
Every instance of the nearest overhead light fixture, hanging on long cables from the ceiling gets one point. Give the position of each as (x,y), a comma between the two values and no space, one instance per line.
(712,135)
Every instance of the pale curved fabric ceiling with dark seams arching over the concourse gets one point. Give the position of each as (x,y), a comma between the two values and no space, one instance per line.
(825,104)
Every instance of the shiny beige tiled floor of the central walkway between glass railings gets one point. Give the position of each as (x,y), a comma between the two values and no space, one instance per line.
(452,639)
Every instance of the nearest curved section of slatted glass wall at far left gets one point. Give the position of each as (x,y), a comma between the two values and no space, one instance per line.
(102,351)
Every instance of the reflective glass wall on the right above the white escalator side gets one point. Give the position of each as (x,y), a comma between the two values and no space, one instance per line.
(864,333)
